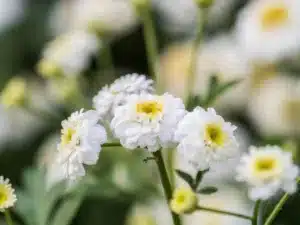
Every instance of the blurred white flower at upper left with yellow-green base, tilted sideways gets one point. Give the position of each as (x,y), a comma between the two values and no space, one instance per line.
(69,54)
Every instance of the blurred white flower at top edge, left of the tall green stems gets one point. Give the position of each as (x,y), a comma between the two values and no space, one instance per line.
(103,16)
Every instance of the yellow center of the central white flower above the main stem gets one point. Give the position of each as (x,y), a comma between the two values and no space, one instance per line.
(150,108)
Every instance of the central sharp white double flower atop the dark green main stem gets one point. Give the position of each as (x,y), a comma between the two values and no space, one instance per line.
(148,121)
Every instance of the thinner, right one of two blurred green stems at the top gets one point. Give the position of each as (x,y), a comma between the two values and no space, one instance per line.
(202,15)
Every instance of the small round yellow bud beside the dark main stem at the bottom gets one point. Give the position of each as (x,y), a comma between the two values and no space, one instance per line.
(184,201)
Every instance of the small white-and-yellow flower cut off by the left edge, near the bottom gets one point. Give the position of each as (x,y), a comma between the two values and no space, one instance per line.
(7,194)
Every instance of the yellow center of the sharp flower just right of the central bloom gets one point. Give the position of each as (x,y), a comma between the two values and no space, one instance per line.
(214,135)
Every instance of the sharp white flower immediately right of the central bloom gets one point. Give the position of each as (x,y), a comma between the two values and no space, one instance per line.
(204,138)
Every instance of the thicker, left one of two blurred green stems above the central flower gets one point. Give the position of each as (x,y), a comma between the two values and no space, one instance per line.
(151,45)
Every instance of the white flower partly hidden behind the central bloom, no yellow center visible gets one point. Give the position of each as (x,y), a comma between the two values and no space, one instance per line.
(109,97)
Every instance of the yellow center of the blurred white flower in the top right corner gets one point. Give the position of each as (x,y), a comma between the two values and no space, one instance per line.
(274,16)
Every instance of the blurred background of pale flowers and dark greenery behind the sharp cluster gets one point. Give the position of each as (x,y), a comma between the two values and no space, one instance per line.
(255,41)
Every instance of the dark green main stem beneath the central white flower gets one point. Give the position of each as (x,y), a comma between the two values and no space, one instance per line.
(165,183)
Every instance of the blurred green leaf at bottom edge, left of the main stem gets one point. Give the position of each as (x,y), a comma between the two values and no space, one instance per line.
(67,210)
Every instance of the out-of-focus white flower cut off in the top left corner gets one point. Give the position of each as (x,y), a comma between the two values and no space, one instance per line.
(11,12)
